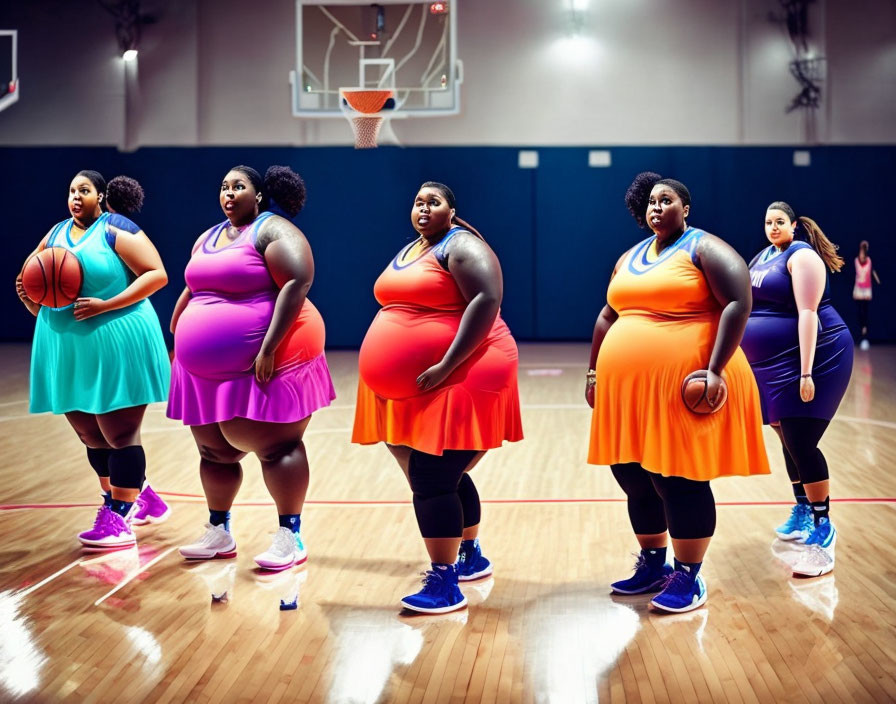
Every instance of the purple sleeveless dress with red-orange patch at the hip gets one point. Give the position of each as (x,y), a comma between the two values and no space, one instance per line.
(220,332)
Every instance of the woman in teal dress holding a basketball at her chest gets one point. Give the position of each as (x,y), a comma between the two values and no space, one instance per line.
(100,360)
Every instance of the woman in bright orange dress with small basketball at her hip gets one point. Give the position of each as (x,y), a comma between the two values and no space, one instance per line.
(678,302)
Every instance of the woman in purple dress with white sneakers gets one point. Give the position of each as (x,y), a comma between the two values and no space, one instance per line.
(249,367)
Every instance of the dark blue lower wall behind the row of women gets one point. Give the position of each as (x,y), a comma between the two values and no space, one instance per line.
(557,229)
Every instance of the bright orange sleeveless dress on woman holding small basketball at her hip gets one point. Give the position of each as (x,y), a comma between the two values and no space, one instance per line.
(668,319)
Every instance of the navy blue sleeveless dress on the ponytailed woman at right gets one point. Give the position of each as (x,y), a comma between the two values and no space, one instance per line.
(771,343)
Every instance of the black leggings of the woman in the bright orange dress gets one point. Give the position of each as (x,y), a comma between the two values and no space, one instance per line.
(684,507)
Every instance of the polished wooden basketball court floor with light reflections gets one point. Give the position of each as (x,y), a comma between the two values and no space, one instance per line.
(142,625)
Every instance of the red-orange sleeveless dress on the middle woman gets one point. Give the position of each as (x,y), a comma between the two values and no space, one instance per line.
(476,408)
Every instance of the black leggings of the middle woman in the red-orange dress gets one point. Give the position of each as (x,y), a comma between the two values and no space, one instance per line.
(445,498)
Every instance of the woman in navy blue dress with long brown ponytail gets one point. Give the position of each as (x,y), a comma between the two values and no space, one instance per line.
(801,354)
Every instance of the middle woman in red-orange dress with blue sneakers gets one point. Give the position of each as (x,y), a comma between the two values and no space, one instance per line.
(438,385)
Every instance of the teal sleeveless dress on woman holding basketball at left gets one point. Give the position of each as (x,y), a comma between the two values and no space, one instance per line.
(110,361)
